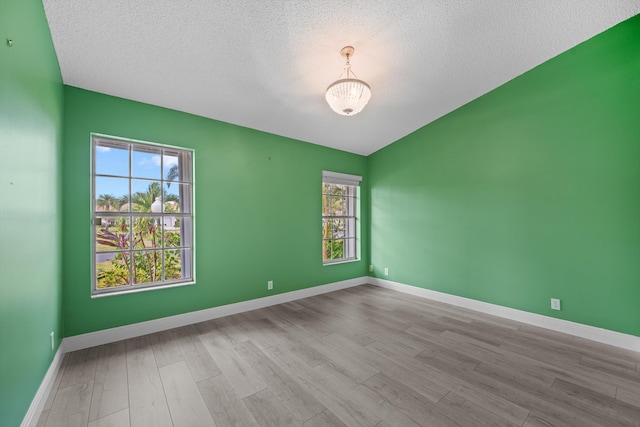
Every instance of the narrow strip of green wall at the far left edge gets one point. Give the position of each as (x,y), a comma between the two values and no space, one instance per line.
(30,134)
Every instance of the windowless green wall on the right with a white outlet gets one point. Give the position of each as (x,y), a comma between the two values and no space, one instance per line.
(527,193)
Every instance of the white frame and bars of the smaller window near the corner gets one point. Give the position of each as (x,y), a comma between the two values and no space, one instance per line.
(350,218)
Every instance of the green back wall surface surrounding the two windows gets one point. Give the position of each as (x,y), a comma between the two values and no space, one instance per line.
(258,209)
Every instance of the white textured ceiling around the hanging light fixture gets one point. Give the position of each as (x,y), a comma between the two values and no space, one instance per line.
(266,64)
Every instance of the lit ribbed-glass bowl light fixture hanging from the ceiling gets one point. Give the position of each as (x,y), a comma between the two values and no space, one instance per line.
(350,95)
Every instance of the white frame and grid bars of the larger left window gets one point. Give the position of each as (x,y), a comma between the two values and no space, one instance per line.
(186,214)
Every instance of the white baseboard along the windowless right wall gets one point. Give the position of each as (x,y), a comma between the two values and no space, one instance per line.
(605,336)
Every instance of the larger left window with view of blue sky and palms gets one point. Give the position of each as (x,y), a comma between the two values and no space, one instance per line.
(142,215)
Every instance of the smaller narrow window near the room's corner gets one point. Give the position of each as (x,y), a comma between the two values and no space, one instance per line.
(340,208)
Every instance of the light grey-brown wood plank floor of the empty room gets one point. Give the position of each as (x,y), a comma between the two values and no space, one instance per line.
(363,356)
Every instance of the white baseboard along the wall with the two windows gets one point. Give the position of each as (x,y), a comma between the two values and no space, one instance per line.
(106,336)
